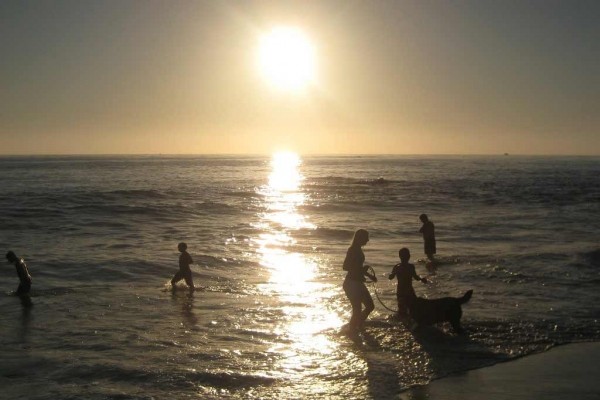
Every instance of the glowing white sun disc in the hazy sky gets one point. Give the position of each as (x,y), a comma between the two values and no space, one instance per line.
(286,59)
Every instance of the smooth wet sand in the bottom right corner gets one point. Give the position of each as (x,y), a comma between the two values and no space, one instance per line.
(564,372)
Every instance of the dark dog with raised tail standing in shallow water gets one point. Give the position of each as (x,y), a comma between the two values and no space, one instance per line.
(427,312)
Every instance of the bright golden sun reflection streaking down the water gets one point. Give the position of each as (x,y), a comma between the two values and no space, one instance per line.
(294,275)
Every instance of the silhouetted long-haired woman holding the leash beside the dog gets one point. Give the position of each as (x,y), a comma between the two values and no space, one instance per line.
(354,284)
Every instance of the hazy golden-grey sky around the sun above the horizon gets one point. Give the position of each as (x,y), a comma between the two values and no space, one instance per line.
(425,77)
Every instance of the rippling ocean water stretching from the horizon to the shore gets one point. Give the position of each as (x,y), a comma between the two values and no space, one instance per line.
(268,235)
